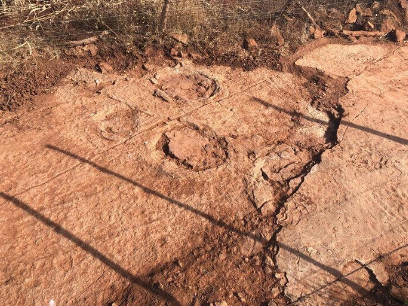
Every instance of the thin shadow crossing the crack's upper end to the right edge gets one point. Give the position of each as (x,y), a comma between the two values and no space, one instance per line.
(346,123)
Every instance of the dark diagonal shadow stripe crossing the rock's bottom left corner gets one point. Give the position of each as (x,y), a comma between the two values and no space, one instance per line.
(91,250)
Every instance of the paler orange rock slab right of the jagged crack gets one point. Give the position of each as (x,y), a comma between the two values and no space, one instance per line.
(350,215)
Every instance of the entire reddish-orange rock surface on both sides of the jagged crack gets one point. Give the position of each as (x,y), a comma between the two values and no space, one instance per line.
(192,185)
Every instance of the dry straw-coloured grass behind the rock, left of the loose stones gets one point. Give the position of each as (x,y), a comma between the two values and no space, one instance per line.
(29,27)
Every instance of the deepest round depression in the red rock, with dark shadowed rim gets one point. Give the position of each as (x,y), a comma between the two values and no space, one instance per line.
(195,149)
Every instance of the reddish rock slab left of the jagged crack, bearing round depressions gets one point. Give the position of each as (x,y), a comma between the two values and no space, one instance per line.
(103,182)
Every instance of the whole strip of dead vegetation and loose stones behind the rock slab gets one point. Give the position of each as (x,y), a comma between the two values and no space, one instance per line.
(213,27)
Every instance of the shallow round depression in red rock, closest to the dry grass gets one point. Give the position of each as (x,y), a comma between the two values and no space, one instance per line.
(190,86)
